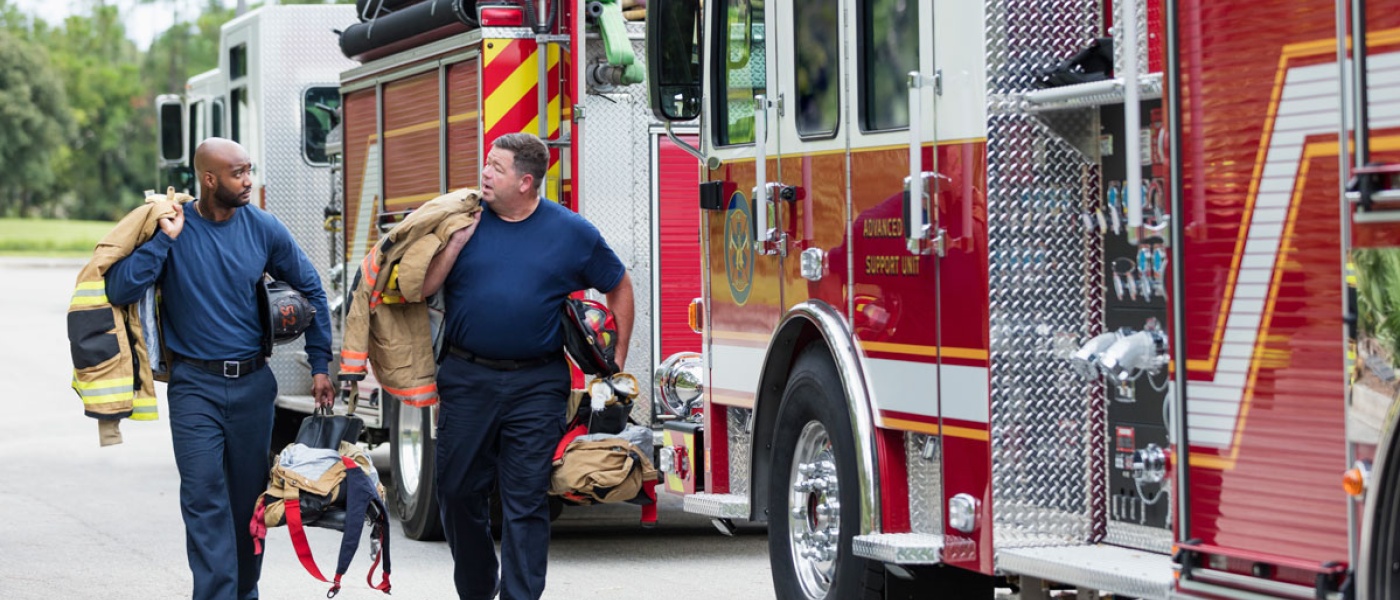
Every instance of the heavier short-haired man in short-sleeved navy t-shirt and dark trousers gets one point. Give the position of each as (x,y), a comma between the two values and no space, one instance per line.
(505,383)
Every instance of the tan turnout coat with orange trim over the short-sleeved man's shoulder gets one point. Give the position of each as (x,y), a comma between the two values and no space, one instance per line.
(390,324)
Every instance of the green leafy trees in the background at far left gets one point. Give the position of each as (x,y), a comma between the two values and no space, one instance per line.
(78,120)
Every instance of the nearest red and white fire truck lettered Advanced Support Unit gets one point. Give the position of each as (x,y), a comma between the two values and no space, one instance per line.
(978,314)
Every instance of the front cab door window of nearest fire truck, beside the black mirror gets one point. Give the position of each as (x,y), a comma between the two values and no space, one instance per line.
(743,75)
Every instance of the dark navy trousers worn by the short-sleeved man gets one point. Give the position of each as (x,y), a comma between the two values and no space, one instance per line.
(499,427)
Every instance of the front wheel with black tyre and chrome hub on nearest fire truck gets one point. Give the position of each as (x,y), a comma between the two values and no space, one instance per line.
(814,499)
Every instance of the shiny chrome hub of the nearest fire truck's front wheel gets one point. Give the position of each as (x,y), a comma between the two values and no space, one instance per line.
(815,511)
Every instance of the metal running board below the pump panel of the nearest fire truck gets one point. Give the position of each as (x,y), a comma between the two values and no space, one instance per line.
(1105,569)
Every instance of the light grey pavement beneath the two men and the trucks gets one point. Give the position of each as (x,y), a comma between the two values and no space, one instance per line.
(90,522)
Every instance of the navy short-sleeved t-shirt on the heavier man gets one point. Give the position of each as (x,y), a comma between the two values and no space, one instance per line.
(507,289)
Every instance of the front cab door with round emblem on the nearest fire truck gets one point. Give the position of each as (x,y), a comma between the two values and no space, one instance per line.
(744,272)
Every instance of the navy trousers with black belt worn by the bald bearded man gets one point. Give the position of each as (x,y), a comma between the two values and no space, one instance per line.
(222,430)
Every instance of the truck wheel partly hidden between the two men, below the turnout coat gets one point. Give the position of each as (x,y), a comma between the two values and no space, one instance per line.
(412,459)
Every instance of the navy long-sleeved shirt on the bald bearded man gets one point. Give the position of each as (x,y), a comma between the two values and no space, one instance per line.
(209,285)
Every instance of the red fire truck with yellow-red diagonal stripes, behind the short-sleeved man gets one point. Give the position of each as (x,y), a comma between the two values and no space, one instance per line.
(436,85)
